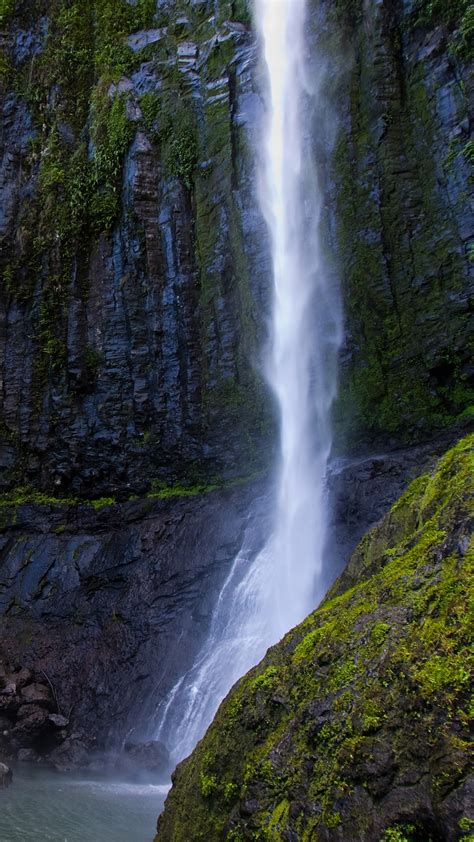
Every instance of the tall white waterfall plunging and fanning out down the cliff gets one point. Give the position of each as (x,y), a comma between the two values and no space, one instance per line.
(267,594)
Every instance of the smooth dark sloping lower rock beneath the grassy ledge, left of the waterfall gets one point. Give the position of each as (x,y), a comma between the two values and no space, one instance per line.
(103,608)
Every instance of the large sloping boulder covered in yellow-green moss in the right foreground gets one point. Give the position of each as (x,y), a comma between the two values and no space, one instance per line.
(355,726)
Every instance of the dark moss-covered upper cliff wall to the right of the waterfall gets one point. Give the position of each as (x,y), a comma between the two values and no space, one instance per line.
(405,225)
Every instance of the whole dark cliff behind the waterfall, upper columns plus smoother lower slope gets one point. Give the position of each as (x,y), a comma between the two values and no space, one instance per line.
(134,295)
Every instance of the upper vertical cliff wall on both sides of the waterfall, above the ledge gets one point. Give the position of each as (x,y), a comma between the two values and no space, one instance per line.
(134,291)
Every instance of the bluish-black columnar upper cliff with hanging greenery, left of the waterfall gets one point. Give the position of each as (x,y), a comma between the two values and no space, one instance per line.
(130,310)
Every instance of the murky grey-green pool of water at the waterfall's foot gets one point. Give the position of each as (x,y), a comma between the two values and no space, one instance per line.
(43,806)
